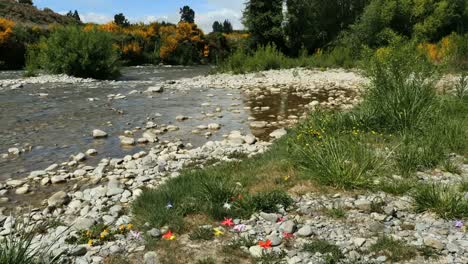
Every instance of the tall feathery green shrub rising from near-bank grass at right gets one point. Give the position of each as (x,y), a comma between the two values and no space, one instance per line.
(401,95)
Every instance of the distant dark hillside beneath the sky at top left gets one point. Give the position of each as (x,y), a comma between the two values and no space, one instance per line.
(31,15)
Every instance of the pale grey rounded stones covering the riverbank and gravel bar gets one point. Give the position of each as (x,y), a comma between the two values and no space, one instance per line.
(354,222)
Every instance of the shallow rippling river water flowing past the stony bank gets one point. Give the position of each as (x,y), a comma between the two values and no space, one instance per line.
(54,121)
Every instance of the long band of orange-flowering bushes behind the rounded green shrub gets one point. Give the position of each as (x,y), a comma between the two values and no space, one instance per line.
(134,43)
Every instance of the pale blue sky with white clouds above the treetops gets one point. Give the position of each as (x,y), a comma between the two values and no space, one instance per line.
(103,11)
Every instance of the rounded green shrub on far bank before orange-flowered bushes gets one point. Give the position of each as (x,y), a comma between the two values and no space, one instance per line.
(73,51)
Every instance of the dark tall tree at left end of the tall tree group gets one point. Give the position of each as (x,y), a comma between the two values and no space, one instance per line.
(264,19)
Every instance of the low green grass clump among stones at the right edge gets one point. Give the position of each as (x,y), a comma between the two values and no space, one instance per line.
(446,201)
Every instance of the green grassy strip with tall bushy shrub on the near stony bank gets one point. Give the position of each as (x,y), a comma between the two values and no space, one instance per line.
(402,126)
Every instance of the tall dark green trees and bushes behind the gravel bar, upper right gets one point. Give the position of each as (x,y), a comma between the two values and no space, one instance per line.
(343,33)
